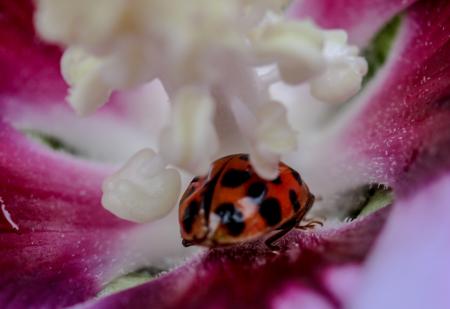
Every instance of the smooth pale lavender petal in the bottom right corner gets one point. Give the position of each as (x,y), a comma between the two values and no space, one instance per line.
(409,267)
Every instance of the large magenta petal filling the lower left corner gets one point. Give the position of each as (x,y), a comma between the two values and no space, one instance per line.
(64,245)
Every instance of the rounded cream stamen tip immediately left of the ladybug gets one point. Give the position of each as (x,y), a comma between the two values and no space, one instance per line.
(143,190)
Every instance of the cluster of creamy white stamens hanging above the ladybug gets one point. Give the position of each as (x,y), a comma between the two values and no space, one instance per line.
(210,56)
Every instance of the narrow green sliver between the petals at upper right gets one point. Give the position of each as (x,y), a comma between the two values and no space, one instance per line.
(378,49)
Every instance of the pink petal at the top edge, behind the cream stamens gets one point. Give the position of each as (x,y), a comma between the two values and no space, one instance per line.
(360,18)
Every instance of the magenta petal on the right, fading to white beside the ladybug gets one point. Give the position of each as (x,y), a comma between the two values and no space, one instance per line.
(396,131)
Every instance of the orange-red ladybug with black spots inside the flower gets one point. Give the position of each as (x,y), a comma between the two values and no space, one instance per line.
(232,204)
